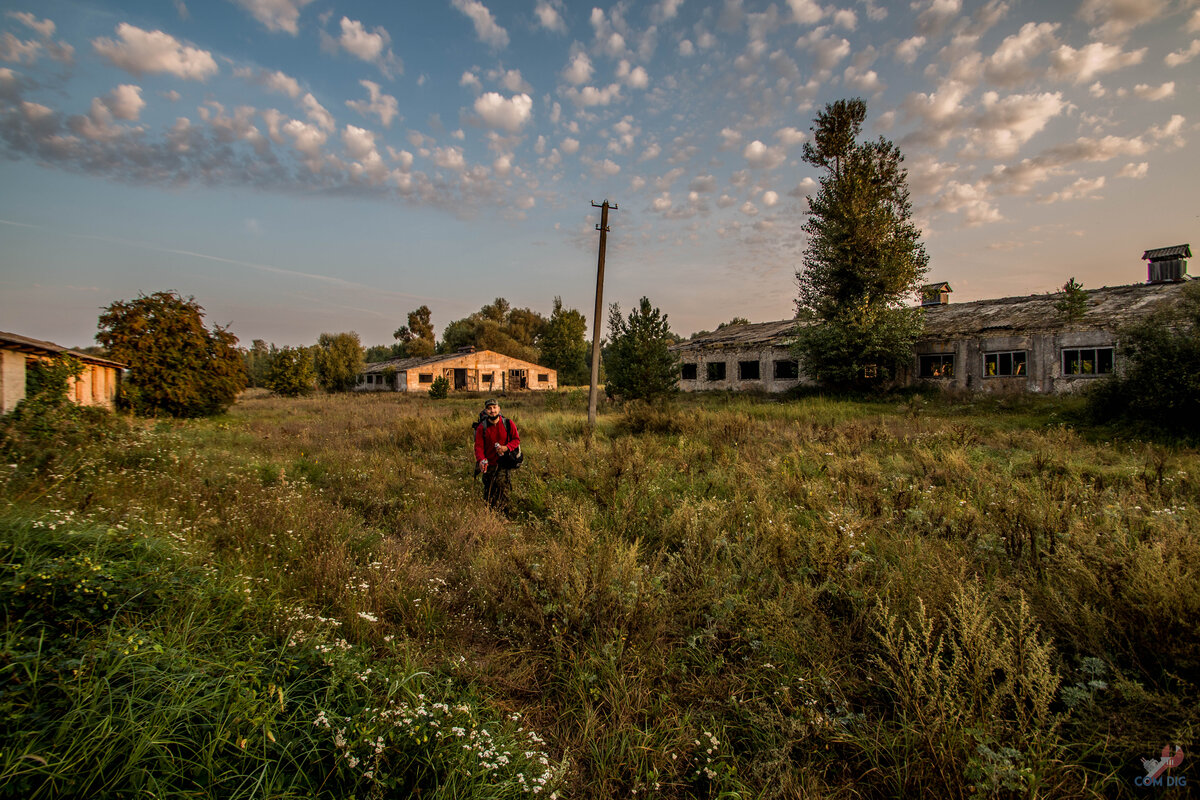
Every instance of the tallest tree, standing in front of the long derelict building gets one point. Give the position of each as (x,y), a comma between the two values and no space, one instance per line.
(863,260)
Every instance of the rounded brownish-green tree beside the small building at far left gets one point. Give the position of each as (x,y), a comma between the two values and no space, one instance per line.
(176,365)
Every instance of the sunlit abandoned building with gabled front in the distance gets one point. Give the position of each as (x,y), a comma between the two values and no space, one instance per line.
(469,370)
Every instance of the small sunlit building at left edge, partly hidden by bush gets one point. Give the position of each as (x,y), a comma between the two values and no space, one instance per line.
(97,386)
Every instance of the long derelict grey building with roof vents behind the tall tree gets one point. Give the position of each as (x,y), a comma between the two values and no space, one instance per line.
(1024,344)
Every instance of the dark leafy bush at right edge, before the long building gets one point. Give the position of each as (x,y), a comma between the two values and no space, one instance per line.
(1159,382)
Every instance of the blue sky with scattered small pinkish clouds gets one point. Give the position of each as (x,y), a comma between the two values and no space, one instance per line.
(323,166)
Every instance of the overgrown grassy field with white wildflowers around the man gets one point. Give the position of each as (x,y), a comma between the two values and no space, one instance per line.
(731,598)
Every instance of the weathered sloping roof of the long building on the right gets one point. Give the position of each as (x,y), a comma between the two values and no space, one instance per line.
(1108,309)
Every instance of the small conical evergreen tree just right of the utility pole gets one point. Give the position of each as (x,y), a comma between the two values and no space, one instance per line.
(637,360)
